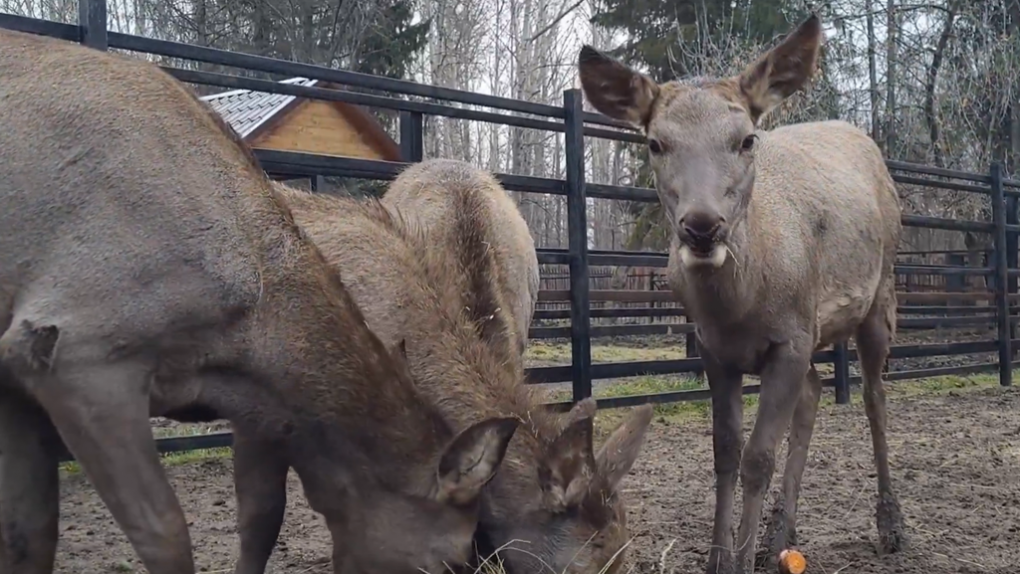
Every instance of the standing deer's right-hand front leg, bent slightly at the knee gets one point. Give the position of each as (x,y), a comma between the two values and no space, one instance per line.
(781,391)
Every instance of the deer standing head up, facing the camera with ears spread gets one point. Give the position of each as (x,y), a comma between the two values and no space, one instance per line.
(784,243)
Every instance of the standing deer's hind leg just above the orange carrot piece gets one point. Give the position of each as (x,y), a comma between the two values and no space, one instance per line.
(782,533)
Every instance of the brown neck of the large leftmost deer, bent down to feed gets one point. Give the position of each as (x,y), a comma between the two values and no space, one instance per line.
(342,387)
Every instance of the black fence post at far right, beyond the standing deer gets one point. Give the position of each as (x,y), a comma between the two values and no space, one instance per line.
(1002,277)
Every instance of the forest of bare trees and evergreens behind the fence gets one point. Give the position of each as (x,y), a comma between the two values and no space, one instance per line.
(934,82)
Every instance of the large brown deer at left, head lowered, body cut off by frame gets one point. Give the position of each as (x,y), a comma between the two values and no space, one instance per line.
(149,267)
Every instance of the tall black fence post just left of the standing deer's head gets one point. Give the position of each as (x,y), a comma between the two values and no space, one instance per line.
(581,344)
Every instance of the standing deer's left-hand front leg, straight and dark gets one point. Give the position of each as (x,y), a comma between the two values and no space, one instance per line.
(728,419)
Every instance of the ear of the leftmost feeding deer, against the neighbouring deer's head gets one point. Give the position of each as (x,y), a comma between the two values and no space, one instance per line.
(473,459)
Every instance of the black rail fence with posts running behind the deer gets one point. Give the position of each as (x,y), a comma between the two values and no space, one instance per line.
(415,101)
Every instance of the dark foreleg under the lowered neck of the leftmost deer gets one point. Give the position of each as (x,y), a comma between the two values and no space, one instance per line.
(261,481)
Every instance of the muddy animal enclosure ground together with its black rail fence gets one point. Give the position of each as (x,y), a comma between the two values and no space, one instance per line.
(955,452)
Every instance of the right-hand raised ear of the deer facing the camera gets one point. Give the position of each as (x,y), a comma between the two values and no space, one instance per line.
(782,71)
